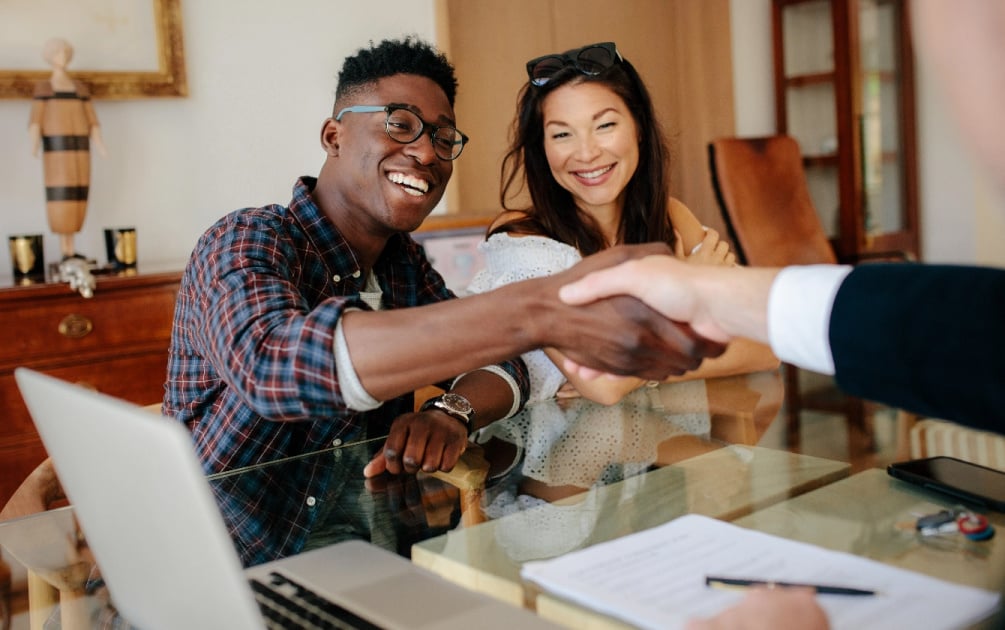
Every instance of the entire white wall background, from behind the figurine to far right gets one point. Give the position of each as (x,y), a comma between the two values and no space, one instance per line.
(262,80)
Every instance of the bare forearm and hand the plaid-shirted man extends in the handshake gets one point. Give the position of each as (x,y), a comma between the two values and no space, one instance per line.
(397,351)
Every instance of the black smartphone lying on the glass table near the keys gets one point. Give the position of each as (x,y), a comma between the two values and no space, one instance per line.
(964,481)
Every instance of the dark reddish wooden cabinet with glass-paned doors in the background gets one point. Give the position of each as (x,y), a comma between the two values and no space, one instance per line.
(845,90)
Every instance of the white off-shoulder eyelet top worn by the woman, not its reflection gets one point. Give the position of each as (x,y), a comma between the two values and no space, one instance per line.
(514,259)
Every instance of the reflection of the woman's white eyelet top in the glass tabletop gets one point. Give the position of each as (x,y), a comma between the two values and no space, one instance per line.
(575,443)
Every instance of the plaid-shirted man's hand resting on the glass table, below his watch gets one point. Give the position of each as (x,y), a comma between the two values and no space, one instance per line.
(429,441)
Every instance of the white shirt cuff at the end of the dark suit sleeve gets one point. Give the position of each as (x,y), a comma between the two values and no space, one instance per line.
(799,309)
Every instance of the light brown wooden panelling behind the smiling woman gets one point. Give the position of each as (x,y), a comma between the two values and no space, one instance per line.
(683,48)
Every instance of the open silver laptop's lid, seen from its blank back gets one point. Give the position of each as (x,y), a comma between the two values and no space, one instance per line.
(145,508)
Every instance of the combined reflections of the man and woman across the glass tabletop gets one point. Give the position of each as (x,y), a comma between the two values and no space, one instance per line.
(550,453)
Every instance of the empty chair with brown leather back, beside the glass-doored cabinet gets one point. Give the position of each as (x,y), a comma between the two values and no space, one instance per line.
(761,188)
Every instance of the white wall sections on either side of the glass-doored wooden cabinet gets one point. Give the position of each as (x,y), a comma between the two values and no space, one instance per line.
(961,211)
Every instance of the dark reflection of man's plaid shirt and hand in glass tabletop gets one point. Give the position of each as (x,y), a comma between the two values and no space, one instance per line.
(324,499)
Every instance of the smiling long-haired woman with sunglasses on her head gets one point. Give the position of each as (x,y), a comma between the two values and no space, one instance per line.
(588,147)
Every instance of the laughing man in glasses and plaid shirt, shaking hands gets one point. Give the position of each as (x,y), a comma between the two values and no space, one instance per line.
(302,327)
